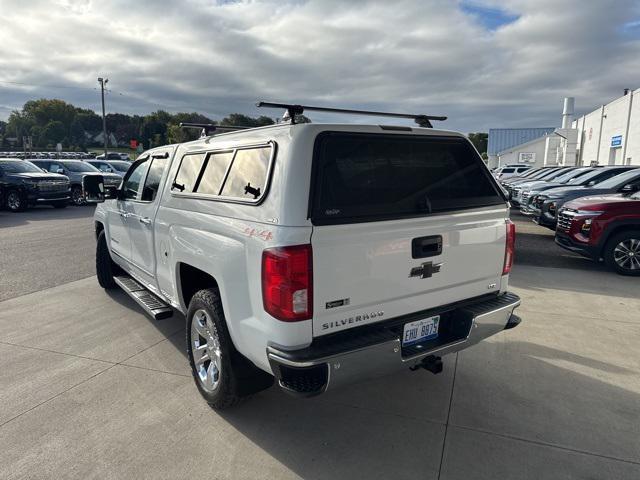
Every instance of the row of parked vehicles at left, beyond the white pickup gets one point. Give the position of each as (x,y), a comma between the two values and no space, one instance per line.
(54,182)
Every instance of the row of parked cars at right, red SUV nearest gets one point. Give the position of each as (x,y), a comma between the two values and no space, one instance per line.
(595,211)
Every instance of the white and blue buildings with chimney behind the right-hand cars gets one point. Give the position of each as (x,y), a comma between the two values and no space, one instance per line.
(609,135)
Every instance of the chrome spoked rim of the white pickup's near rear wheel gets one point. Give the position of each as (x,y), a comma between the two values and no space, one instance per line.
(205,350)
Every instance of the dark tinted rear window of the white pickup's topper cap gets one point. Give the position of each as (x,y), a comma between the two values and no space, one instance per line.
(366,177)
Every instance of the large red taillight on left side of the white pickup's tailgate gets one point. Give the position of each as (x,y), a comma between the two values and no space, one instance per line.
(287,282)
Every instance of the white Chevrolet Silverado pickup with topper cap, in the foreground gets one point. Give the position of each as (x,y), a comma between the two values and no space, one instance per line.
(318,254)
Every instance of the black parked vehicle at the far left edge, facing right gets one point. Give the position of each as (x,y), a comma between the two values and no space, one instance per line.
(24,184)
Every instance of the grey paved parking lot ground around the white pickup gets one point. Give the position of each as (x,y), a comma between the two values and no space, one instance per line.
(89,387)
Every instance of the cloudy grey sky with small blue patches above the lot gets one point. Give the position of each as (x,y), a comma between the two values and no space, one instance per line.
(484,63)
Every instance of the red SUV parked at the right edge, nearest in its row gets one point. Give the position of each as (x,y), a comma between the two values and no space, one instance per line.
(603,227)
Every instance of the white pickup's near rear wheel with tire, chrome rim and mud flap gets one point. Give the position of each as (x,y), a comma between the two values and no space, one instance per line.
(223,376)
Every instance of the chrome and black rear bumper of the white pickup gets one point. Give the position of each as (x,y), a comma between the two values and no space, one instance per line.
(375,351)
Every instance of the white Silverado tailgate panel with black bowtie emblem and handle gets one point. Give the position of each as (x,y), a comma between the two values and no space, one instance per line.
(364,273)
